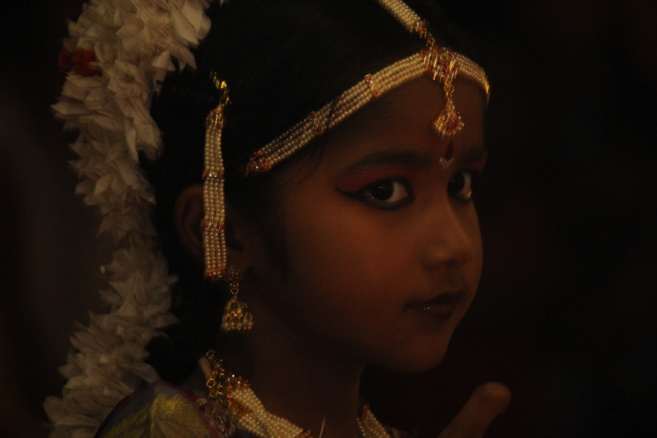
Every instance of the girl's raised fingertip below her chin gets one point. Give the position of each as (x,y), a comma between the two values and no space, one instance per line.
(487,402)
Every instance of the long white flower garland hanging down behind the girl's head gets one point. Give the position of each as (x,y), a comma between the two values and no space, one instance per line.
(133,42)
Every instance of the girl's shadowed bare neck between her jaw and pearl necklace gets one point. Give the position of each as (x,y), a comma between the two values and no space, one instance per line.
(294,382)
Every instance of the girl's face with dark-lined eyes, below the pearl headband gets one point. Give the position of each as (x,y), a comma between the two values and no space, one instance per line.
(382,240)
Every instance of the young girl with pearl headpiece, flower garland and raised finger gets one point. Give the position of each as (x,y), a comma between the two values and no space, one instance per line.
(312,166)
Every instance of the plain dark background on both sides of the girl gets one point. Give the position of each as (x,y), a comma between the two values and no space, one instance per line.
(566,309)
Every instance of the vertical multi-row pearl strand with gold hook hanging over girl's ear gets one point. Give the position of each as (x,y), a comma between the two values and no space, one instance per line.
(214,238)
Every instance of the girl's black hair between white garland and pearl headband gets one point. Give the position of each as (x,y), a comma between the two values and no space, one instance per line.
(281,60)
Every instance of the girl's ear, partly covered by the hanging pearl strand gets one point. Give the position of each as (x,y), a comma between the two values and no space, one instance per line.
(189,218)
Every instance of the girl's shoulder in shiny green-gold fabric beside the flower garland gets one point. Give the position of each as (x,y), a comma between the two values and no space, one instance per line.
(164,410)
